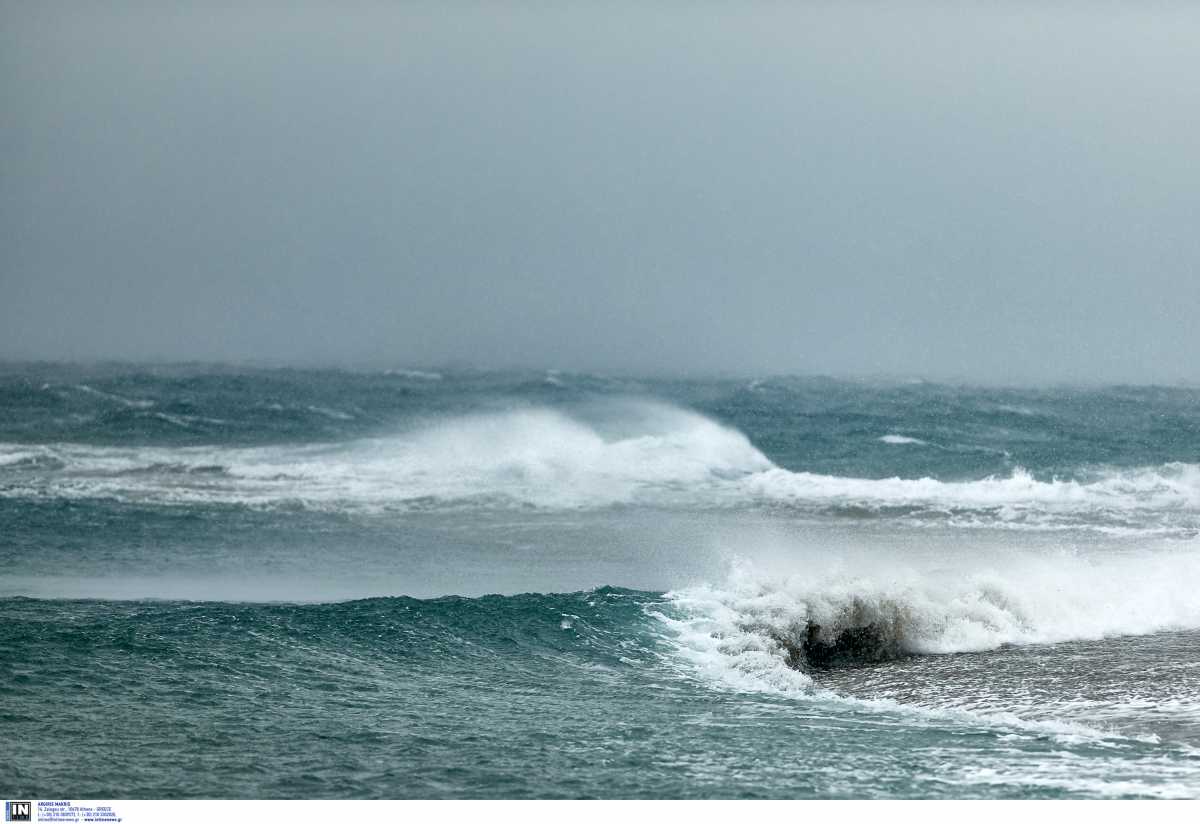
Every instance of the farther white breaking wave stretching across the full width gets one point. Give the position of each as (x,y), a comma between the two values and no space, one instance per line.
(616,454)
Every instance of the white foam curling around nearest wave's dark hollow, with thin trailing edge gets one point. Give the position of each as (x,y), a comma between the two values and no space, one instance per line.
(736,635)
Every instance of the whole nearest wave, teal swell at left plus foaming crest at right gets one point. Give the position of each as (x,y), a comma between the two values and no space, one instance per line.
(749,635)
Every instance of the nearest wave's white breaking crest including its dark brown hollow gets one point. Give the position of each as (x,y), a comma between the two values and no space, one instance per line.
(889,606)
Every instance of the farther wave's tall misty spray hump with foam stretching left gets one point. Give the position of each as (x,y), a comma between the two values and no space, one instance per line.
(620,454)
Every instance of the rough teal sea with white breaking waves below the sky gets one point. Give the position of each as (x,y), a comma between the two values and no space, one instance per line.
(262,582)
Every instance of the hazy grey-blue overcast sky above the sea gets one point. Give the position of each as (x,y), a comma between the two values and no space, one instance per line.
(988,191)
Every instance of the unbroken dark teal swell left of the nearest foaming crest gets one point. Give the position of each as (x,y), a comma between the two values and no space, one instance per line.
(602,625)
